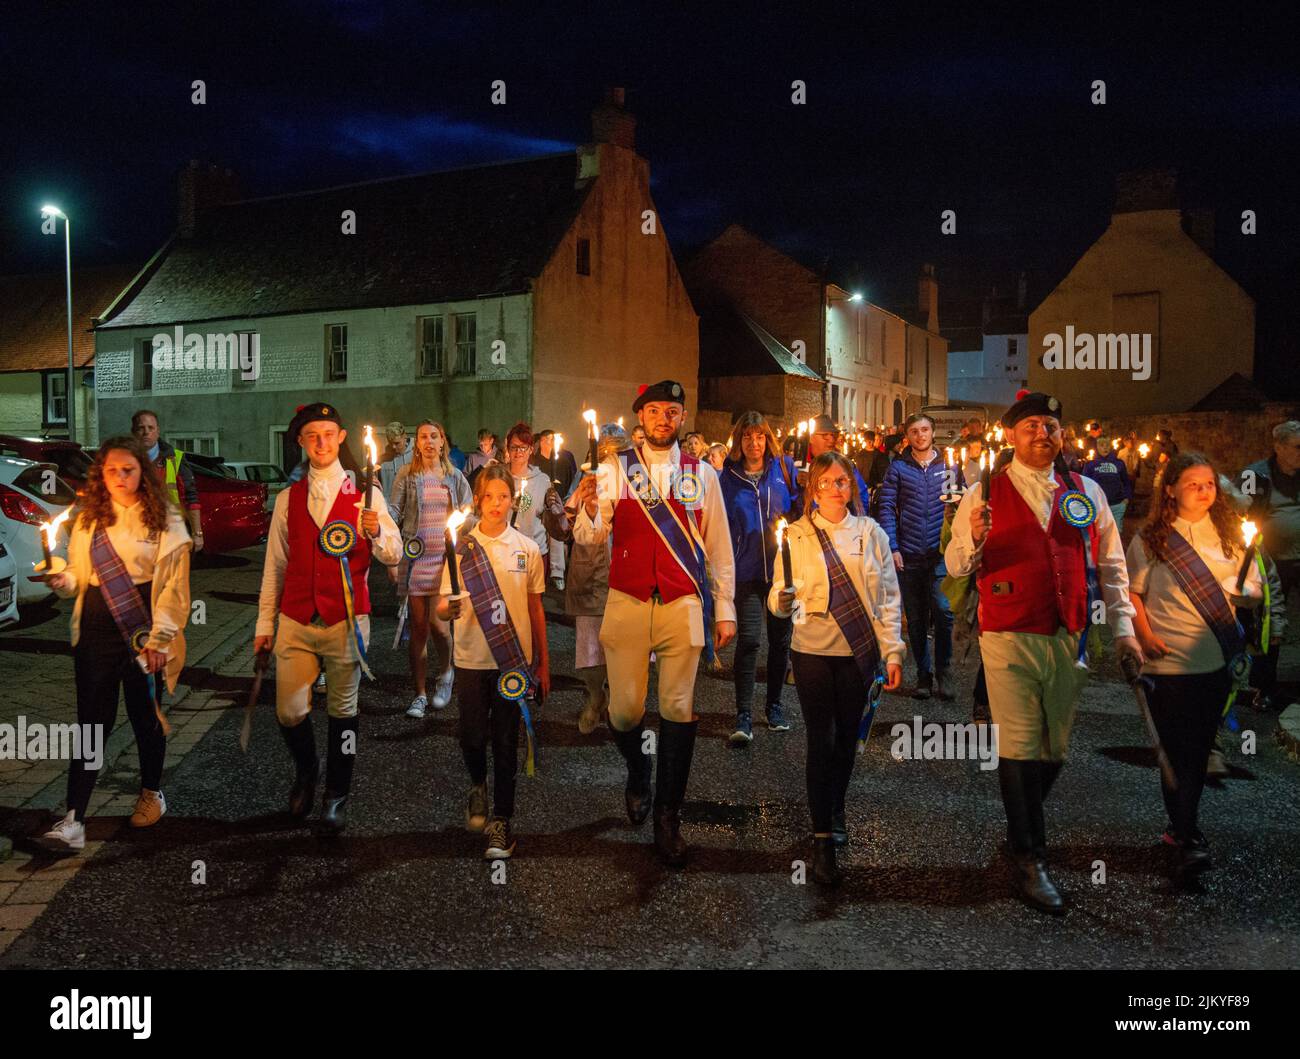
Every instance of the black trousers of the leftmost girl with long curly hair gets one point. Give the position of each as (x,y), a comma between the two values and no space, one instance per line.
(102,665)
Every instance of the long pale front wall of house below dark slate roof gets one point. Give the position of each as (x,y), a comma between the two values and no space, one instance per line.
(384,383)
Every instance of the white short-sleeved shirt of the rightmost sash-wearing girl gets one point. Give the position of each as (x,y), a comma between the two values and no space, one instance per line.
(1193,648)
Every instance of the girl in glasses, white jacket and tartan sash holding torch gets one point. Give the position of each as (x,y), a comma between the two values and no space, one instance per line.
(837,578)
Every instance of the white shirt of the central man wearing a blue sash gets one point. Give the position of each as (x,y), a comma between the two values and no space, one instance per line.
(662,463)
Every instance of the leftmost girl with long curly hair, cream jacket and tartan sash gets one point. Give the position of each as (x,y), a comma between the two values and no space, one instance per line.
(129,570)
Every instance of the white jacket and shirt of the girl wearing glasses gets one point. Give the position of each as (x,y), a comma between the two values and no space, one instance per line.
(864,548)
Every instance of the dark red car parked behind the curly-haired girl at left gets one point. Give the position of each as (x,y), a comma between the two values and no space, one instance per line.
(235,513)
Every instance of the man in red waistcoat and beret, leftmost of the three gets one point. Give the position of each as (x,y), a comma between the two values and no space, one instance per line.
(315,585)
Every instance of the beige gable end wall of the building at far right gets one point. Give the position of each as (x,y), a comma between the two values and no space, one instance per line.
(1207,322)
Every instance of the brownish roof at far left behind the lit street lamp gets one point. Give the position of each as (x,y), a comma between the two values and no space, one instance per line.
(34,316)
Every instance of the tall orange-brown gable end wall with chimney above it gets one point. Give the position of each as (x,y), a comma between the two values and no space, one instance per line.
(597,338)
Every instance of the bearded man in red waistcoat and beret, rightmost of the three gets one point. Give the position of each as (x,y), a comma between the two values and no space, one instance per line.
(1047,553)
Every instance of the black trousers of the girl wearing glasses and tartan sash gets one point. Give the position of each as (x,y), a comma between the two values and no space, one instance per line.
(833,696)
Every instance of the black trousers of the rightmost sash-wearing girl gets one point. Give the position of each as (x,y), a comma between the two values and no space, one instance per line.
(1188,710)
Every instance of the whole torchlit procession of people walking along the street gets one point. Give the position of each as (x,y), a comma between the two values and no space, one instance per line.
(666,553)
